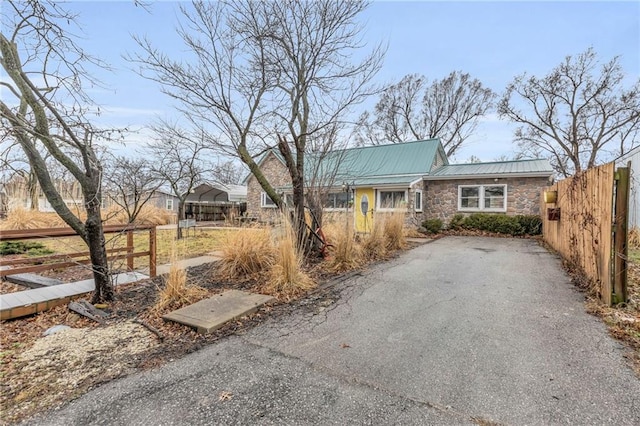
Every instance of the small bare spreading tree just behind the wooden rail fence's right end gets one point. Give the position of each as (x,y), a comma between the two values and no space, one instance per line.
(130,183)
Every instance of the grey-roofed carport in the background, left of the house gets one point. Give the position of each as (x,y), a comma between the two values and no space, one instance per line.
(215,201)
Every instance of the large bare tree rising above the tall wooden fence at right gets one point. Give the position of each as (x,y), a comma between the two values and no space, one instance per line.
(579,114)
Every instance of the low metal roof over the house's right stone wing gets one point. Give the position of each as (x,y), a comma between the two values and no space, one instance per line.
(536,167)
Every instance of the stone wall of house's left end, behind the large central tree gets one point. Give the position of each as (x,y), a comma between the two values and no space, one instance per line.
(278,176)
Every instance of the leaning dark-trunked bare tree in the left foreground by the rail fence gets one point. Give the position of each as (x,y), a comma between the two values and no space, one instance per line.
(43,110)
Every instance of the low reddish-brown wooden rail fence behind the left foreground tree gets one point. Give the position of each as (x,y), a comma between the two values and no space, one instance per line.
(43,263)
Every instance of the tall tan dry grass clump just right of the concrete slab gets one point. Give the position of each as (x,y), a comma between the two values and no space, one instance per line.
(287,277)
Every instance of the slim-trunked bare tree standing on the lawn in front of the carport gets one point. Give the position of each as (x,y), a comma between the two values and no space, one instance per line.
(176,159)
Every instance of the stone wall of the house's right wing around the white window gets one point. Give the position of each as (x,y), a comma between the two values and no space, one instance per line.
(523,196)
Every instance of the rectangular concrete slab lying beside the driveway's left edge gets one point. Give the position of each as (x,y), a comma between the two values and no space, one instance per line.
(210,314)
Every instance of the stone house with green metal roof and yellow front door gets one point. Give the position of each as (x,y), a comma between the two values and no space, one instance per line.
(413,177)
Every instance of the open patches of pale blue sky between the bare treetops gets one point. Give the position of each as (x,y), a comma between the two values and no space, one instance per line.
(493,41)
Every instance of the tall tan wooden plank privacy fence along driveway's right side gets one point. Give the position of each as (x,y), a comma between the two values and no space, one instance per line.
(585,220)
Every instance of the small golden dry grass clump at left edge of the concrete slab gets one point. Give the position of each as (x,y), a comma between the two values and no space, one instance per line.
(176,293)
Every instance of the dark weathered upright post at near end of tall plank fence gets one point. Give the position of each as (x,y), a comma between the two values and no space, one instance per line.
(620,236)
